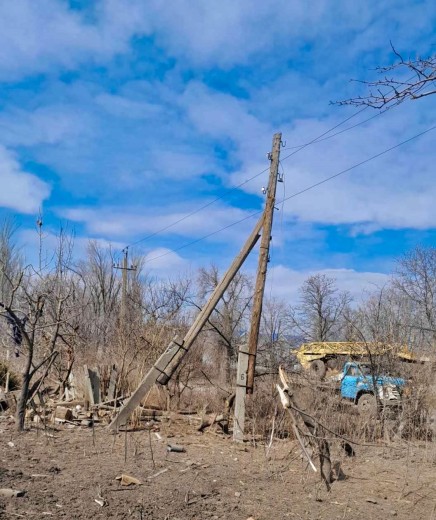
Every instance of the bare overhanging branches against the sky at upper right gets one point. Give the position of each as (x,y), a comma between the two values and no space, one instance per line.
(405,79)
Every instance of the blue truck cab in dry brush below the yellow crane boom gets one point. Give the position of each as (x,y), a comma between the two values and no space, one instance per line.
(367,390)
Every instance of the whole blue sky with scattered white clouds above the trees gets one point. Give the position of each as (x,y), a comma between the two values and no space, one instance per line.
(120,117)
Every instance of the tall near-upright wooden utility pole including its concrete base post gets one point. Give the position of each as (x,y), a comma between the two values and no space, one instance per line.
(247,354)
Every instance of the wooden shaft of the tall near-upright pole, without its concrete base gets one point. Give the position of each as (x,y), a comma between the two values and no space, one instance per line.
(263,260)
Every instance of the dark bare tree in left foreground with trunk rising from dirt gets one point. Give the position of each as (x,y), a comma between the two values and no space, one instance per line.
(39,306)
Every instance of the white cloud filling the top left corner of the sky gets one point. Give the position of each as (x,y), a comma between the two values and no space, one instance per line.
(35,36)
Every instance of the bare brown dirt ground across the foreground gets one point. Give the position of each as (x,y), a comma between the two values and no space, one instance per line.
(64,471)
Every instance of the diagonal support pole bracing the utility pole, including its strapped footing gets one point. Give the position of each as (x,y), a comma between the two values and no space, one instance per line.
(168,362)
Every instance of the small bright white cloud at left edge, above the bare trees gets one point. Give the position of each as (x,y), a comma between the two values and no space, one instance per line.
(21,191)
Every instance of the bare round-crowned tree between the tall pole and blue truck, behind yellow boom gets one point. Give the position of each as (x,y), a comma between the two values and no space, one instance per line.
(319,315)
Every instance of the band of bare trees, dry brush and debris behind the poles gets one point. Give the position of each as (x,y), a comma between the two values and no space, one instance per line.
(81,351)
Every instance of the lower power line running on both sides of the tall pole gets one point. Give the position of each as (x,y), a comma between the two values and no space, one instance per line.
(296,194)
